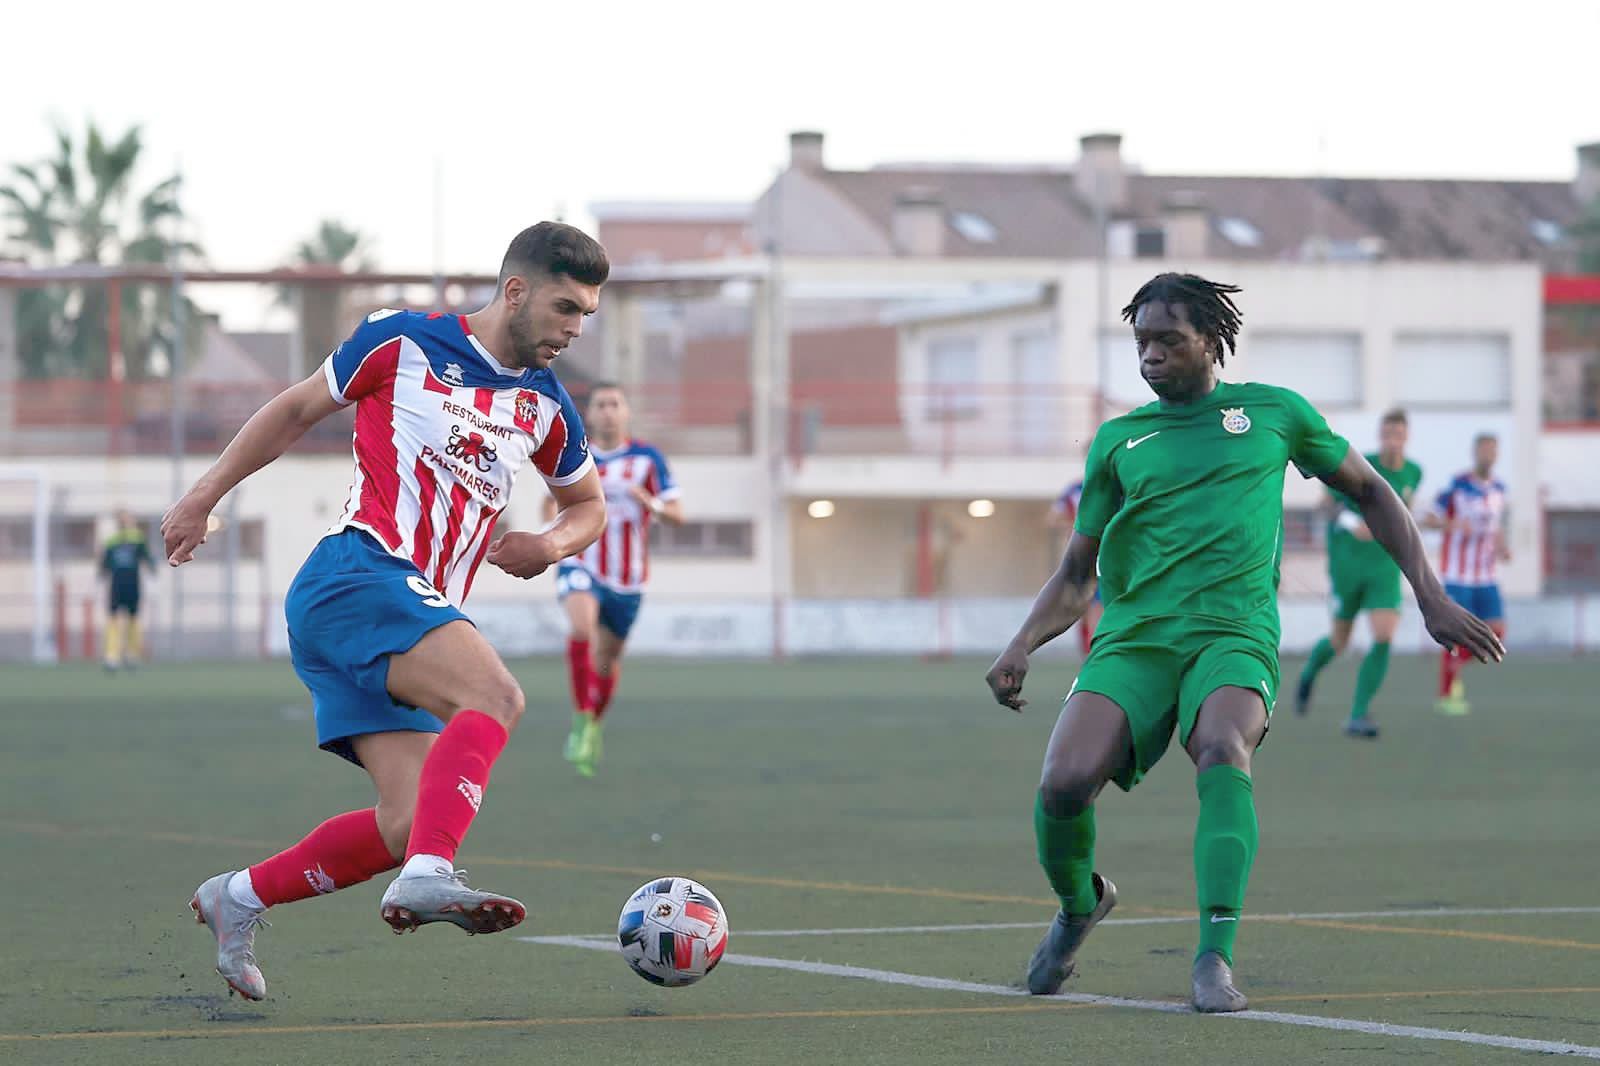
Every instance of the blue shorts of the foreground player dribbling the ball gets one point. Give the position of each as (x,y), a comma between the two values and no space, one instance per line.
(350,609)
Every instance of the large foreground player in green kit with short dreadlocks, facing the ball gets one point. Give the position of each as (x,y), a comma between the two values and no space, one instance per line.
(1183,521)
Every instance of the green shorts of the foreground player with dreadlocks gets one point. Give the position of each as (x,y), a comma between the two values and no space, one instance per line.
(1161,678)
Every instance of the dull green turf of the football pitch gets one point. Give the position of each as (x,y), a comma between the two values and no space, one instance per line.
(807,796)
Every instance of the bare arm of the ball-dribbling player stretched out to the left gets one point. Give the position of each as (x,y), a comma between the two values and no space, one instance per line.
(265,438)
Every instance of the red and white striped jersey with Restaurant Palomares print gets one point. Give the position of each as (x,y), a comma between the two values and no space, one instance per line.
(441,433)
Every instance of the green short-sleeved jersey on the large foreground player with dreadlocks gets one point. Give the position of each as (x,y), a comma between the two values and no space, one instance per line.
(1188,505)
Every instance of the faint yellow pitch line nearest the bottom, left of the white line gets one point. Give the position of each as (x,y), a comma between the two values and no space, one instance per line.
(534,1024)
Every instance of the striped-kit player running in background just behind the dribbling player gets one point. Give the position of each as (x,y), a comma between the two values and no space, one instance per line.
(604,588)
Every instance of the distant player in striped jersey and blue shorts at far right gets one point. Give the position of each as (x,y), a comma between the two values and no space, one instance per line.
(1476,521)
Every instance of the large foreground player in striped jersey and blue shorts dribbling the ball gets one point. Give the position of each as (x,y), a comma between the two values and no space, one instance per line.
(447,411)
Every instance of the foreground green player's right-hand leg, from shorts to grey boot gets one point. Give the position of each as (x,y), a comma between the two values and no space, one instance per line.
(1230,692)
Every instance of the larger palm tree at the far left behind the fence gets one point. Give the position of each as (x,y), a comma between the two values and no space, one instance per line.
(79,207)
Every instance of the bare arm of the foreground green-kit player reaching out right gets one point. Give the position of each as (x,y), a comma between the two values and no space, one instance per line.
(1393,527)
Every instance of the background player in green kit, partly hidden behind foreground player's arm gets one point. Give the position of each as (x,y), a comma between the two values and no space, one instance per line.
(1364,579)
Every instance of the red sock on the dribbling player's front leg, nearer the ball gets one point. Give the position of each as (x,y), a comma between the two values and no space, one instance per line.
(455,775)
